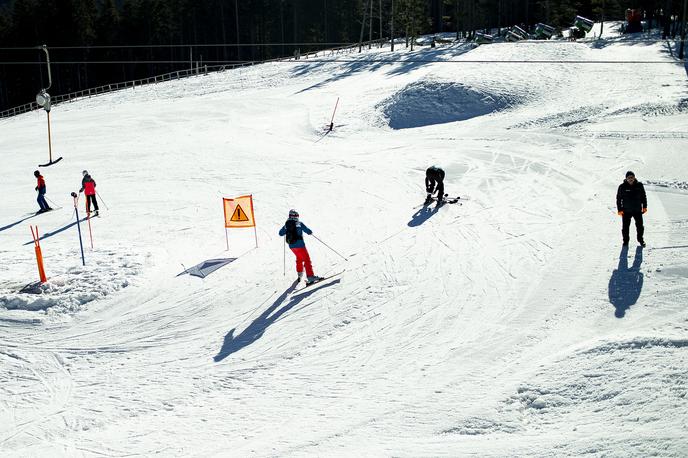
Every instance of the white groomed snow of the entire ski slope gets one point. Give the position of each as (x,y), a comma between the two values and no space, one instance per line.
(509,324)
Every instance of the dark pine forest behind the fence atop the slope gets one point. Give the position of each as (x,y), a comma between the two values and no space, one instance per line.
(96,42)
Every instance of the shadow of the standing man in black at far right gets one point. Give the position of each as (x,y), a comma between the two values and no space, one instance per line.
(626,283)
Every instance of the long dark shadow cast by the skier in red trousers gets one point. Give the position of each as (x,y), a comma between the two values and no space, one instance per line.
(256,329)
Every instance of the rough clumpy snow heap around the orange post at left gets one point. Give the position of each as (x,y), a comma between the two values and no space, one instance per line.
(105,273)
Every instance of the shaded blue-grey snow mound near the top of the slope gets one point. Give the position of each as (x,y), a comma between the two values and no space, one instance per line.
(427,103)
